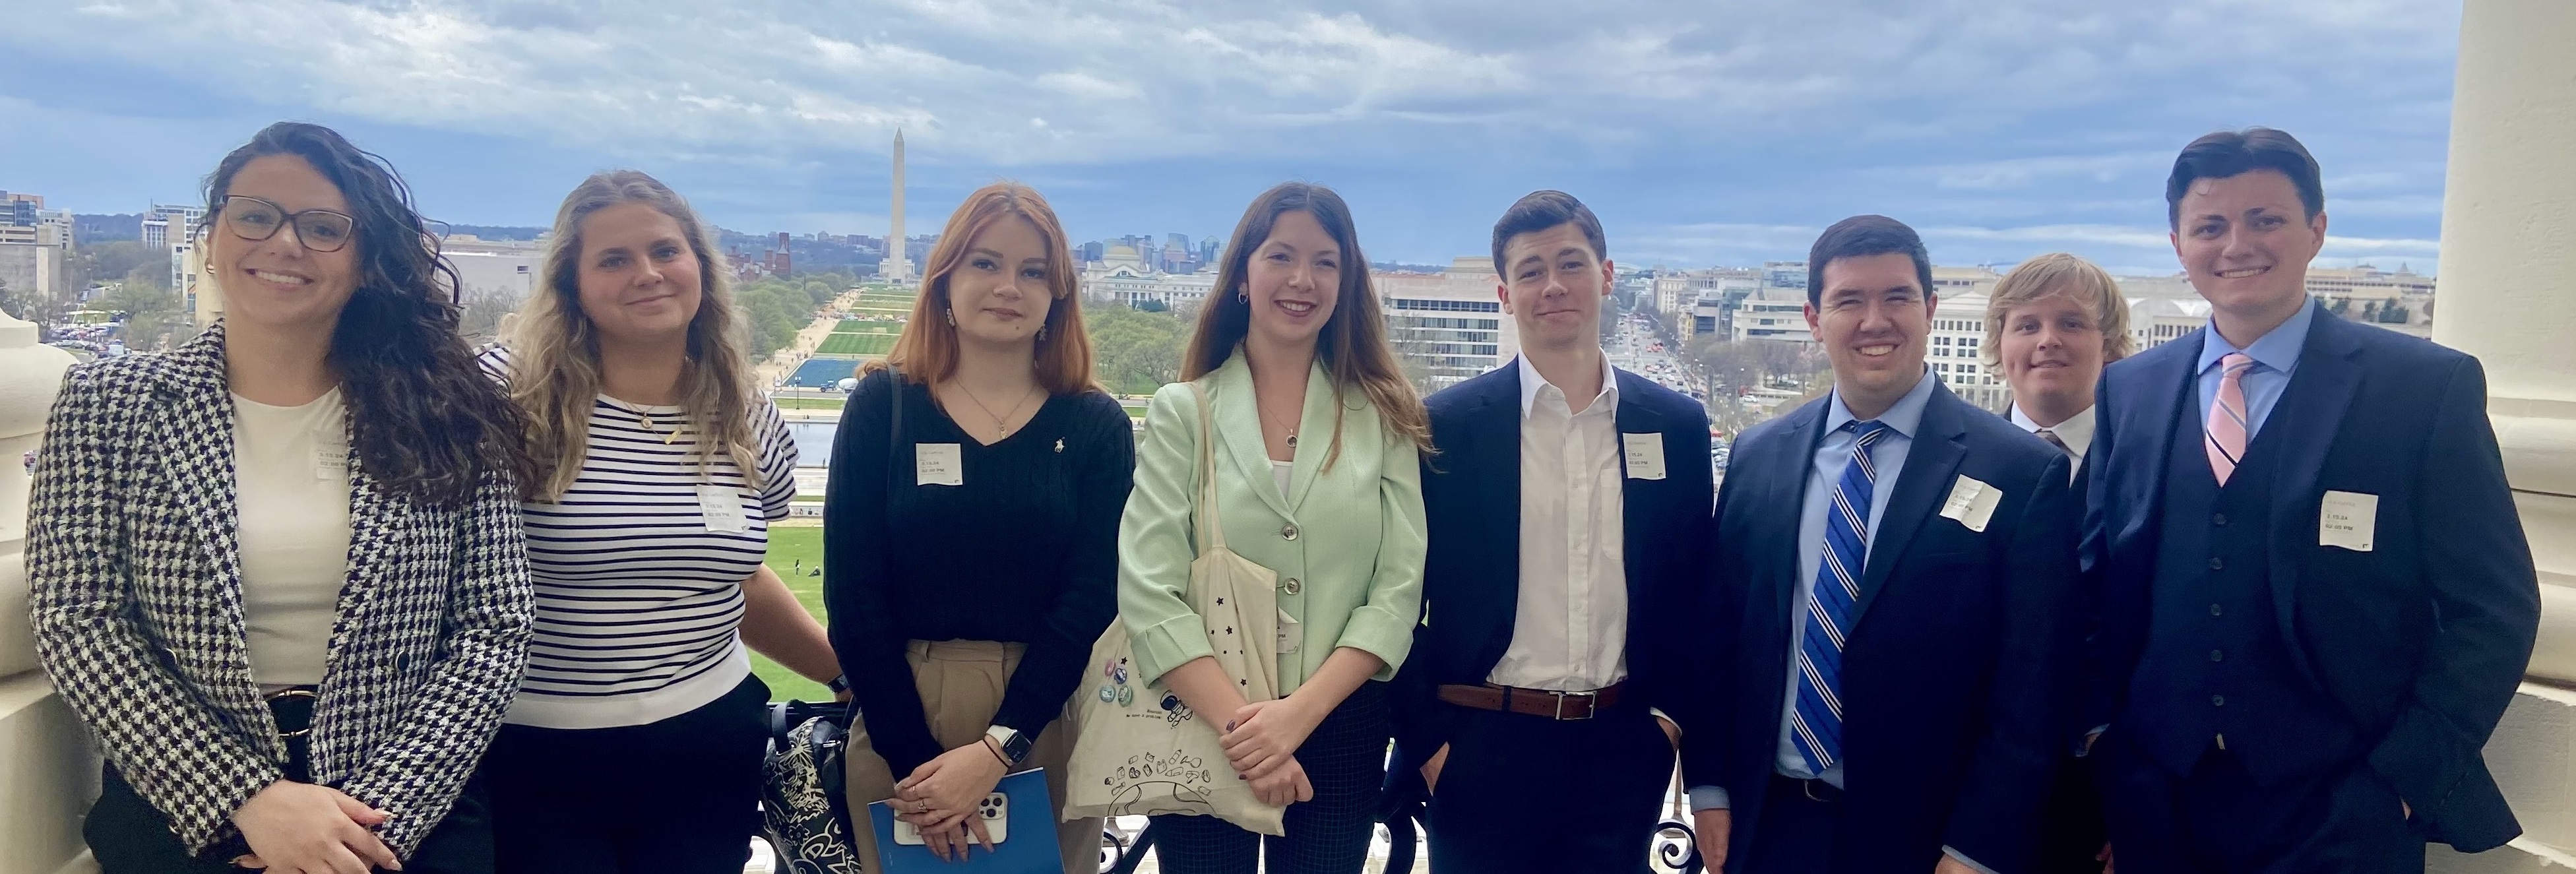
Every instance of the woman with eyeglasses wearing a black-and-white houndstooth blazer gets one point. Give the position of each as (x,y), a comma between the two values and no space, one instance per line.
(279,571)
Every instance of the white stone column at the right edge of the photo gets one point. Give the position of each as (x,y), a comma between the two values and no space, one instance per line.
(2510,298)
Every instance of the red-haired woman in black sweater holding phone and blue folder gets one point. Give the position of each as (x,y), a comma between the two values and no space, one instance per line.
(972,556)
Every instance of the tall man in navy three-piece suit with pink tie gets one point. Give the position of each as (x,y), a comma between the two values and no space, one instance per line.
(2315,592)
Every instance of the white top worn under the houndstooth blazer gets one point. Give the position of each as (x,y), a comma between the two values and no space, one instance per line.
(290,481)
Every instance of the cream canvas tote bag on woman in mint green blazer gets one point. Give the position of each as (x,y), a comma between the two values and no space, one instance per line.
(1140,749)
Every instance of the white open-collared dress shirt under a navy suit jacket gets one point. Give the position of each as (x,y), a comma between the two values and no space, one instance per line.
(1573,625)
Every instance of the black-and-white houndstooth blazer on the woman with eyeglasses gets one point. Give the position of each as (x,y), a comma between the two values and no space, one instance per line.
(138,607)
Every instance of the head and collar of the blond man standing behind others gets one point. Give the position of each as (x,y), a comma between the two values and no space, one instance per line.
(2052,326)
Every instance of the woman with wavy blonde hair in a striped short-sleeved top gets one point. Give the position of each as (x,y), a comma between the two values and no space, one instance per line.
(638,736)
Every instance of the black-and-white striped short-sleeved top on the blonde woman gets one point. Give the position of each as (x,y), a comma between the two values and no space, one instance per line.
(638,584)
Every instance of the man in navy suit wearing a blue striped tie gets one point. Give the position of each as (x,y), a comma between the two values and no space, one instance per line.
(1897,638)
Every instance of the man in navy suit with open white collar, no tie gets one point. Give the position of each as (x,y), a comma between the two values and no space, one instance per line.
(1567,504)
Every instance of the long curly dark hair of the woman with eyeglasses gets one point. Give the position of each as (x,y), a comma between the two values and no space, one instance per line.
(424,416)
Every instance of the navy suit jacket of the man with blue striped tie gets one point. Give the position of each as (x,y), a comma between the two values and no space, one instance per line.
(1956,677)
